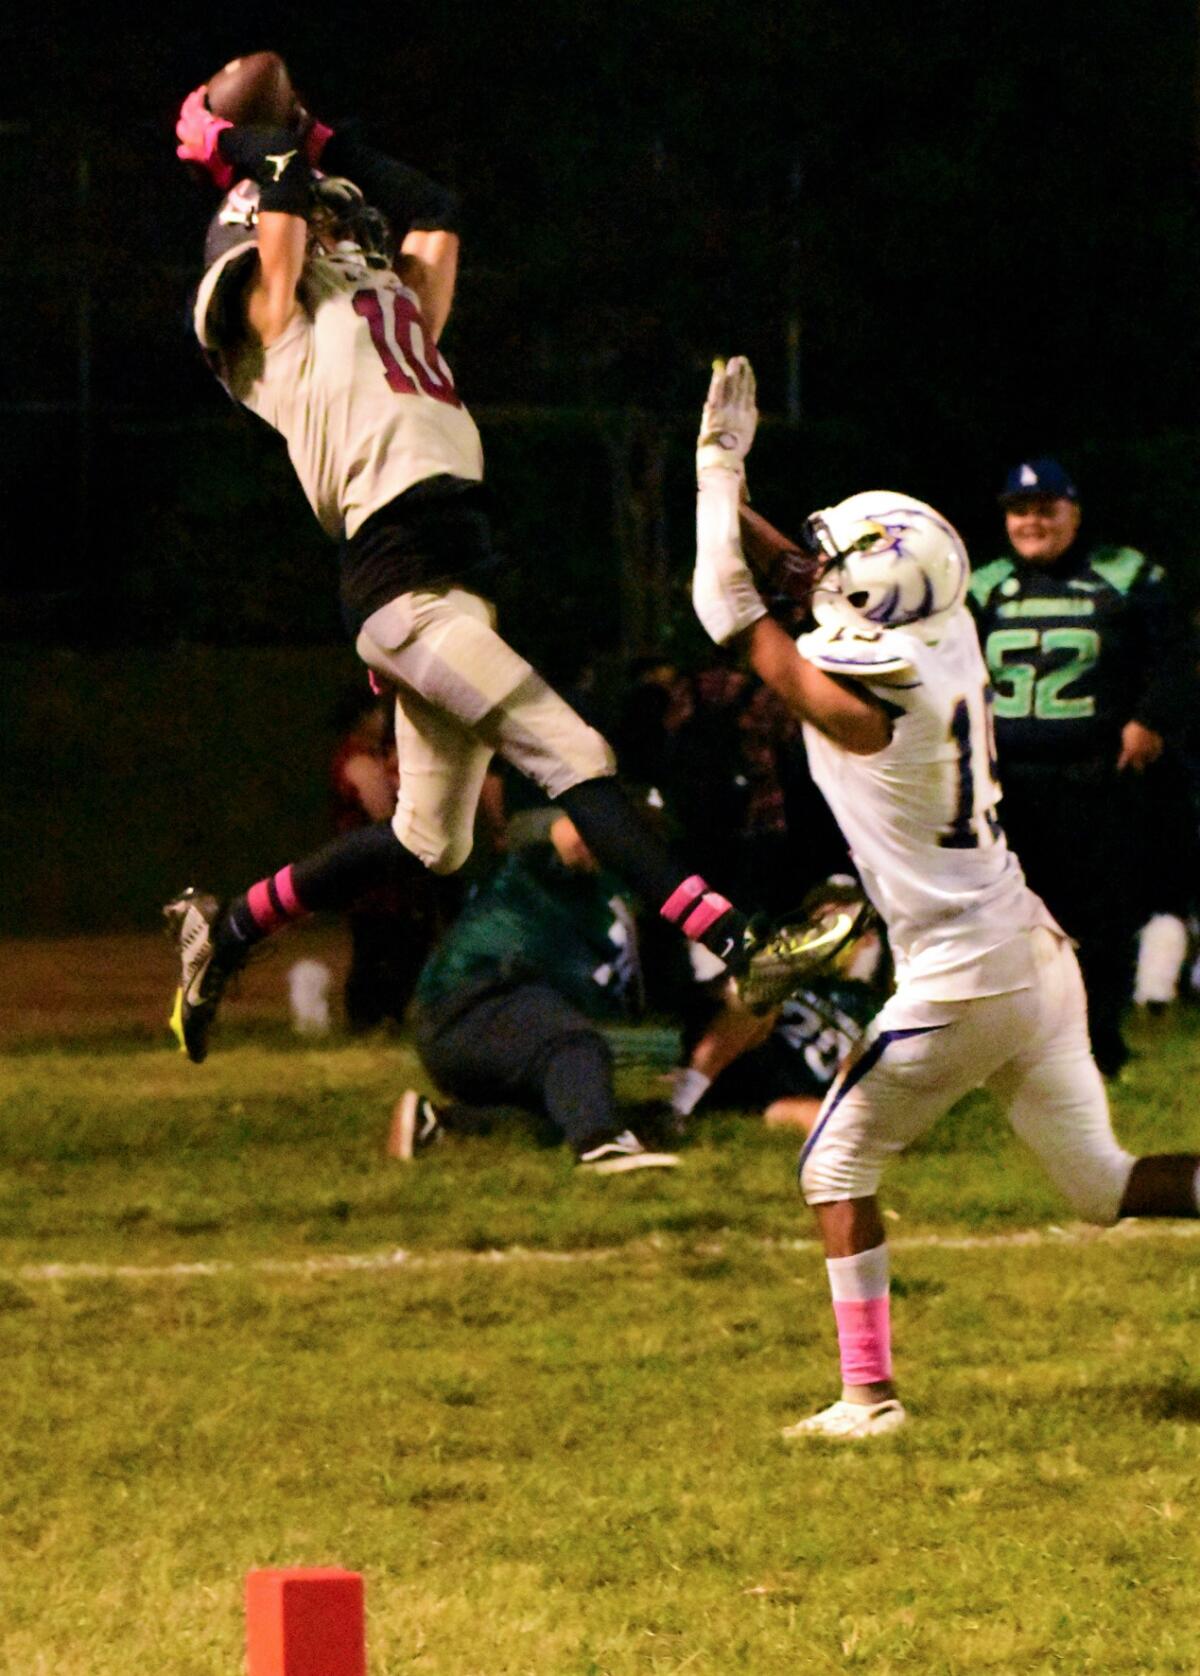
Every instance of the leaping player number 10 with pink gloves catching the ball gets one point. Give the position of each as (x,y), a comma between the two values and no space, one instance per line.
(321,314)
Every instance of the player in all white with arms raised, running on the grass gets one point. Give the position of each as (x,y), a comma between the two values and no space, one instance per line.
(892,691)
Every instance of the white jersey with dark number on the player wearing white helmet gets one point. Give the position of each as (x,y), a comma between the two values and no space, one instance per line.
(919,815)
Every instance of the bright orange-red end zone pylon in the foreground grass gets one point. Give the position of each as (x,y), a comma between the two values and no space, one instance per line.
(306,1622)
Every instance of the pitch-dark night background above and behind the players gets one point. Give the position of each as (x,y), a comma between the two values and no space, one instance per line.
(948,237)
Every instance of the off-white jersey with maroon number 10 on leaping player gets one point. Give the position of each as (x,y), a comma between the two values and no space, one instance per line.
(356,386)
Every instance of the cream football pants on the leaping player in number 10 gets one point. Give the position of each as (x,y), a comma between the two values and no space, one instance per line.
(462,696)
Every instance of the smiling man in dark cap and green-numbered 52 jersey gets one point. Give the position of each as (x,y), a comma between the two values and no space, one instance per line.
(1092,678)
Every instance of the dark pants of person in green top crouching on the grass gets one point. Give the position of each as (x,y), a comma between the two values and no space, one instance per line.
(522,1045)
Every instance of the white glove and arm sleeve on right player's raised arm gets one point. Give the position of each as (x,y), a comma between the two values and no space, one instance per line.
(723,589)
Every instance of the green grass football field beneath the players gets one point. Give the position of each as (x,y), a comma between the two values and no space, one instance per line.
(541,1414)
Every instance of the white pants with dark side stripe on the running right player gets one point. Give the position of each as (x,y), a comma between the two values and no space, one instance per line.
(1028,1047)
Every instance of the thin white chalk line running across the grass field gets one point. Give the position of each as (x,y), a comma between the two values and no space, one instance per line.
(366,1263)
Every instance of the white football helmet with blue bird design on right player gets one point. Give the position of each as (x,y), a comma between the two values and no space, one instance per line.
(889,562)
